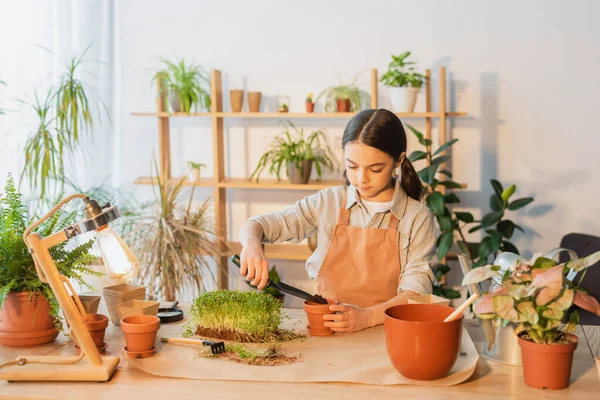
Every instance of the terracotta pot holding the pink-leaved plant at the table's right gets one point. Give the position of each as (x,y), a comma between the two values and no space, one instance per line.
(547,366)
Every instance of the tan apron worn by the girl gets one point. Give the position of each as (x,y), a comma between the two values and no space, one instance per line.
(362,265)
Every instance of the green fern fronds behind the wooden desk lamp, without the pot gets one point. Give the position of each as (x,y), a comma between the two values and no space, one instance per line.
(17,270)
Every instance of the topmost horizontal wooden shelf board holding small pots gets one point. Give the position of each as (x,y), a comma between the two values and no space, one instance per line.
(290,115)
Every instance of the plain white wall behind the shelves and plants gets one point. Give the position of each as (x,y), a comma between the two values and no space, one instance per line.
(525,71)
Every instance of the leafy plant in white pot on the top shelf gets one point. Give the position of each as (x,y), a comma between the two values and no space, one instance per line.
(403,82)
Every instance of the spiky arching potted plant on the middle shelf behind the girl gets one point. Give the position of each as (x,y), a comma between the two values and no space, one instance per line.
(297,153)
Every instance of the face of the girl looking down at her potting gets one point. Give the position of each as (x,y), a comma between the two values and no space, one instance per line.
(369,170)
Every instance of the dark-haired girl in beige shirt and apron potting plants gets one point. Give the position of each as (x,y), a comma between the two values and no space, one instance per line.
(376,239)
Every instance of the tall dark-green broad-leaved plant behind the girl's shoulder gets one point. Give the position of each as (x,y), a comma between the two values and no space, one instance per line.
(498,229)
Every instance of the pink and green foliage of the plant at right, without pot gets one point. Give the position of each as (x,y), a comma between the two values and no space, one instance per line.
(536,295)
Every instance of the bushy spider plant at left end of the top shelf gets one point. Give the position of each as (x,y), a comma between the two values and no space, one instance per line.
(183,84)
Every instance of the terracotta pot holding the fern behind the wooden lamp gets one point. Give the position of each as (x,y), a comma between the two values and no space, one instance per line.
(24,322)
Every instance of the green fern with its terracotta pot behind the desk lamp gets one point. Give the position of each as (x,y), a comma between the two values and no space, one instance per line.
(29,311)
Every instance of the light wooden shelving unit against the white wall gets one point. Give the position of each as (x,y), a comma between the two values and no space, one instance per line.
(221,183)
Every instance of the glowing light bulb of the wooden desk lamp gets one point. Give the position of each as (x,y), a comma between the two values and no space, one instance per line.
(120,262)
